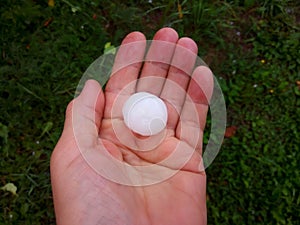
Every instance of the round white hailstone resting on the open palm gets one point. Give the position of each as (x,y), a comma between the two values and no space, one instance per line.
(145,114)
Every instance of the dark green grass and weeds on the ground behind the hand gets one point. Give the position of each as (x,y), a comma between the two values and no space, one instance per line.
(251,46)
